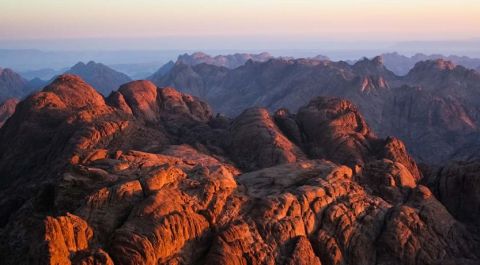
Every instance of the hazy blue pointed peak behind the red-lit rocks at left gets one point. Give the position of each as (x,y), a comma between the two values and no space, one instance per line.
(100,76)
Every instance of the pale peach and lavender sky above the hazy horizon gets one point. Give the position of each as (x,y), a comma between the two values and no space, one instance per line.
(231,24)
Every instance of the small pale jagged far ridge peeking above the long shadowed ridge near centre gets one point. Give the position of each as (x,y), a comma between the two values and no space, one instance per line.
(230,61)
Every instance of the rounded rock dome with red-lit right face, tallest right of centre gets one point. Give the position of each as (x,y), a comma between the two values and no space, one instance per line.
(334,129)
